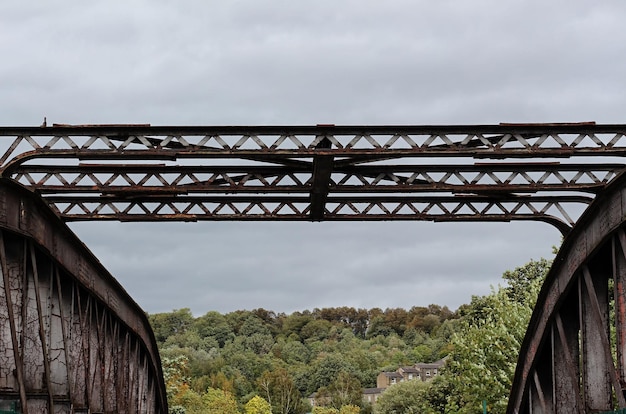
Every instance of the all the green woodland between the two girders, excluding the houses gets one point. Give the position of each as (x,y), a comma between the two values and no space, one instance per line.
(259,361)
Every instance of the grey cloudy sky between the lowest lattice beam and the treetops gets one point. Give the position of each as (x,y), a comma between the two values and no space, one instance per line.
(295,266)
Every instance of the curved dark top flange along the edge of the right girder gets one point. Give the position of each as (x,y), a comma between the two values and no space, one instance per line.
(599,221)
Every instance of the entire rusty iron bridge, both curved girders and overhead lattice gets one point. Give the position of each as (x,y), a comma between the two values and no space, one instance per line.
(74,341)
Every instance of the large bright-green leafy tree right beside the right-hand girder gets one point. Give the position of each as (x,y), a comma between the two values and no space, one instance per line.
(482,363)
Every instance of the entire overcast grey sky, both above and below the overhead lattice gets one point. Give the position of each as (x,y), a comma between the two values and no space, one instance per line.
(248,62)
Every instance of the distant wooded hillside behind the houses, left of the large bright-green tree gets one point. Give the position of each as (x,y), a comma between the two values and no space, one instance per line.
(285,358)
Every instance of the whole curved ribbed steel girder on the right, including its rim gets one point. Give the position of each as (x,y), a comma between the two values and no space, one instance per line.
(573,357)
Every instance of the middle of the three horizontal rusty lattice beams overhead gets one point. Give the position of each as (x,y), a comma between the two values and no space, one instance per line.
(495,177)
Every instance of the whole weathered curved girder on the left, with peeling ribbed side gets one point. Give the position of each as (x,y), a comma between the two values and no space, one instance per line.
(71,339)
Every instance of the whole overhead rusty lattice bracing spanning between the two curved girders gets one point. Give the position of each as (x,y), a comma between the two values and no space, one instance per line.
(323,172)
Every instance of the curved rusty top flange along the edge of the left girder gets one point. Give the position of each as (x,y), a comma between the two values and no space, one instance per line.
(24,213)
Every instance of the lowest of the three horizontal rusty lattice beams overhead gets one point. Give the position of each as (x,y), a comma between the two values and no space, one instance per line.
(551,209)
